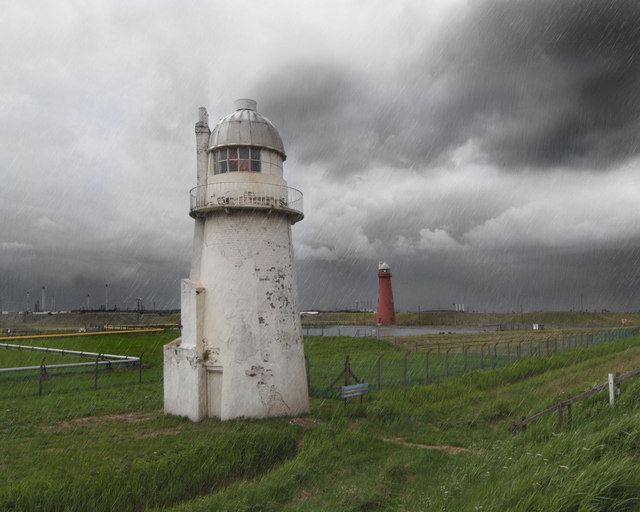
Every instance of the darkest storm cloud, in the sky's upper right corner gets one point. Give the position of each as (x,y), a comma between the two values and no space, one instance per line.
(562,80)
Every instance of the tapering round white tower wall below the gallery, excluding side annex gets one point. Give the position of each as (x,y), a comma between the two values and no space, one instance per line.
(252,325)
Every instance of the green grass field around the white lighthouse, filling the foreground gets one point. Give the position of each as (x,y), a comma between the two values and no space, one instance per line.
(436,447)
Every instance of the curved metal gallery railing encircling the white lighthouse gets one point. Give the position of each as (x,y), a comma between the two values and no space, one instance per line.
(240,195)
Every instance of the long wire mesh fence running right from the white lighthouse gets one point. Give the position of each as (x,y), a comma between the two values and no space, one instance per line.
(437,364)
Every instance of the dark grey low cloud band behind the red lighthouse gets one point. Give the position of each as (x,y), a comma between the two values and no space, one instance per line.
(538,279)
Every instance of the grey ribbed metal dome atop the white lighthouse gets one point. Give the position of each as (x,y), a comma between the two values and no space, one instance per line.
(246,127)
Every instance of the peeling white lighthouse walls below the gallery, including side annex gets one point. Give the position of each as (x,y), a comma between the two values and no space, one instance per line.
(241,353)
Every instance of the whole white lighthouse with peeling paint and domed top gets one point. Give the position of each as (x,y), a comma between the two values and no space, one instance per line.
(241,351)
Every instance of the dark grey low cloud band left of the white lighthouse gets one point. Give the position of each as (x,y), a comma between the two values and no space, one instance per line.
(77,273)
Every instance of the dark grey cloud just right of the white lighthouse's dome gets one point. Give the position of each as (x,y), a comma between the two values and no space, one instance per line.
(332,115)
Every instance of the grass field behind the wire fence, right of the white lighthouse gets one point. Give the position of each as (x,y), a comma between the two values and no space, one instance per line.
(406,361)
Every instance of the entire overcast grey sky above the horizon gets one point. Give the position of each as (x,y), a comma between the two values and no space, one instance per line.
(489,151)
